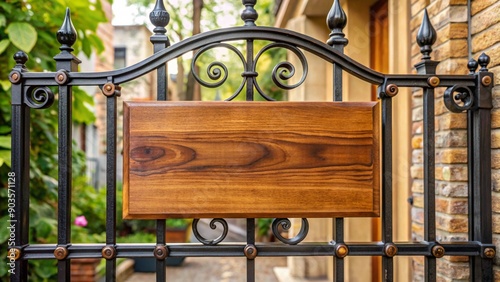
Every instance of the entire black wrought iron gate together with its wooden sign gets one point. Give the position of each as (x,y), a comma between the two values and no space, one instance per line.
(254,159)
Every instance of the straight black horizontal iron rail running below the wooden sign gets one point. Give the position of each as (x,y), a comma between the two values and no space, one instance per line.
(264,250)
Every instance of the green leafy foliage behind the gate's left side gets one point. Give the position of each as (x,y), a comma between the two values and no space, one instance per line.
(31,26)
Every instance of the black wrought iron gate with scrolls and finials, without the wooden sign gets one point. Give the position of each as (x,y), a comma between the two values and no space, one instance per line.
(471,93)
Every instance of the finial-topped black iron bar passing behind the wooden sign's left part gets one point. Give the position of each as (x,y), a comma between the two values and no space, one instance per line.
(160,18)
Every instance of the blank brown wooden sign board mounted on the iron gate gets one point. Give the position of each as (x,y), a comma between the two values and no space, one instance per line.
(251,159)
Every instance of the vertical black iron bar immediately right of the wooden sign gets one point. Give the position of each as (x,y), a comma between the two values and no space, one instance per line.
(387,262)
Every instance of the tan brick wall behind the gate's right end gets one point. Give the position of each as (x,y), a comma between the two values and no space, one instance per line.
(449,18)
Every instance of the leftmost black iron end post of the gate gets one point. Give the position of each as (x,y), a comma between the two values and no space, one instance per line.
(20,151)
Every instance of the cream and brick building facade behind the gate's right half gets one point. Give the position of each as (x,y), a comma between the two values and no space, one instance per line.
(382,35)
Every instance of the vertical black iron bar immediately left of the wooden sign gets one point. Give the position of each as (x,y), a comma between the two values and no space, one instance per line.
(111,114)
